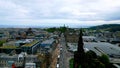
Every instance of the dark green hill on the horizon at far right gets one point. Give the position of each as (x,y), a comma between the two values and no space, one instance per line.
(109,27)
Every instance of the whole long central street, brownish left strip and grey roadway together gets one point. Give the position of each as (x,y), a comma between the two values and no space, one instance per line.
(63,60)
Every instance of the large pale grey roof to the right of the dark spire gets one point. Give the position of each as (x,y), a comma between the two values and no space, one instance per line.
(105,47)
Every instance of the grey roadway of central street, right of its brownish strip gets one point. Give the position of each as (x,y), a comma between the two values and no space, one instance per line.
(64,54)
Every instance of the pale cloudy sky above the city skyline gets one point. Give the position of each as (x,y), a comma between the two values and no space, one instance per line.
(72,13)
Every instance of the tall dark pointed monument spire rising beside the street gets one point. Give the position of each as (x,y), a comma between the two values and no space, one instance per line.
(79,55)
